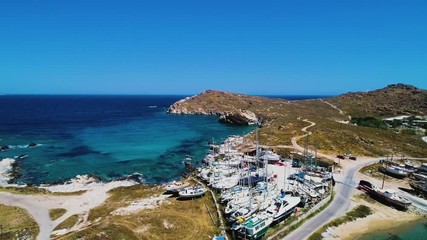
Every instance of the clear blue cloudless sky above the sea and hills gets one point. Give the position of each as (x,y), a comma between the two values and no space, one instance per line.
(185,47)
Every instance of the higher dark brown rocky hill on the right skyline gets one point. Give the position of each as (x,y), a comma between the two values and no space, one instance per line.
(395,99)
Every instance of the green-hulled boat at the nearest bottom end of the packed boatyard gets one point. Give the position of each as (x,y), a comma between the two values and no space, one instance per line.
(255,227)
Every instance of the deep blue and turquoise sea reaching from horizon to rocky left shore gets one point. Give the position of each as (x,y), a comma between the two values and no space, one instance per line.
(109,136)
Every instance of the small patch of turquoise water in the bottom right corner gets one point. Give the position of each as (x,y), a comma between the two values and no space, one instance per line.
(411,231)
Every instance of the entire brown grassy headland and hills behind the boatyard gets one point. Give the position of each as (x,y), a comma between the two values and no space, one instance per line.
(280,120)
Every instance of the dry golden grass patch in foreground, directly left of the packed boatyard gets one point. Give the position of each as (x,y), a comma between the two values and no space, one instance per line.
(179,219)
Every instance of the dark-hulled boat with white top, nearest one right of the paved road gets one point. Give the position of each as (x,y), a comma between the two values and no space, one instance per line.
(385,195)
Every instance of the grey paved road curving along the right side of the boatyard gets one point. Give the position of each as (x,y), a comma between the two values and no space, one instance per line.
(344,191)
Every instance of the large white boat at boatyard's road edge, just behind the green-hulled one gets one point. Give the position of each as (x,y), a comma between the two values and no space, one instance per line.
(283,207)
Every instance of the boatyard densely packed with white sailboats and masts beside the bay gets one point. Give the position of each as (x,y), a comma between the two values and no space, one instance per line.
(257,188)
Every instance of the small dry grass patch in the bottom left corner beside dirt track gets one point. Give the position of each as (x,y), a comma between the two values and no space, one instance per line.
(16,222)
